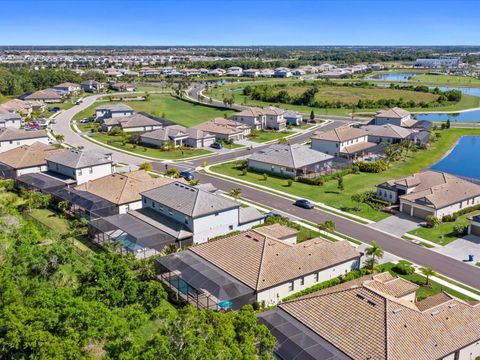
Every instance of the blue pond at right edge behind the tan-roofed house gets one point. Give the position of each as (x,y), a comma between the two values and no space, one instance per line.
(463,160)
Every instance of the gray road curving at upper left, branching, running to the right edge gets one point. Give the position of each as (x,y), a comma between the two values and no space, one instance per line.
(465,273)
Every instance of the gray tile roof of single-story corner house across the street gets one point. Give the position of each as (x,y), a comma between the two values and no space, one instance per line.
(290,155)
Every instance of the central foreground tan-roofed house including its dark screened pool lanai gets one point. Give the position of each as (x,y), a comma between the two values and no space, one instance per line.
(253,266)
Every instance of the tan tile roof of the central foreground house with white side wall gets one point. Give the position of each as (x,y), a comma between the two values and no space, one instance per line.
(261,262)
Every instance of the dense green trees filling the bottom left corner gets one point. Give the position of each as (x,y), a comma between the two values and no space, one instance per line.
(57,302)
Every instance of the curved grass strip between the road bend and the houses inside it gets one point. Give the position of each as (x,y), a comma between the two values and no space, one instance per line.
(176,154)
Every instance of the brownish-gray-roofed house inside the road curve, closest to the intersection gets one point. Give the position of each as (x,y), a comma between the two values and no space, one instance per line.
(178,136)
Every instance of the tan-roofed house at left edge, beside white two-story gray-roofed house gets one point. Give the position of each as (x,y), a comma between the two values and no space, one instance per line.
(26,159)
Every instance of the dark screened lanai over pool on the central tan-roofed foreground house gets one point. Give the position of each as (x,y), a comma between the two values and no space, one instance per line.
(201,283)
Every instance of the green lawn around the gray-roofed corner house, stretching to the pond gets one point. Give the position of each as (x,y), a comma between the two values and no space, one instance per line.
(355,183)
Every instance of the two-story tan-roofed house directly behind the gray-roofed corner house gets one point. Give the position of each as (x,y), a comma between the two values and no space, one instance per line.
(344,141)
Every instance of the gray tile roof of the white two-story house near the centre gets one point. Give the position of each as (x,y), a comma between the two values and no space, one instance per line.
(189,200)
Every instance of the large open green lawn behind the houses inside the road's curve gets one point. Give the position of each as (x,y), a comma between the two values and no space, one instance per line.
(179,111)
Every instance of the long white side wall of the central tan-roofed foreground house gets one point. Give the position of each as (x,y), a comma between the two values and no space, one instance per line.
(274,295)
